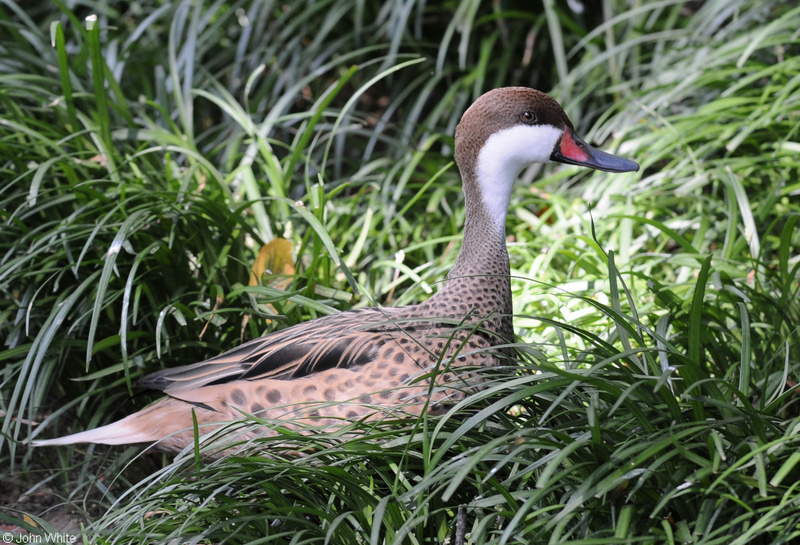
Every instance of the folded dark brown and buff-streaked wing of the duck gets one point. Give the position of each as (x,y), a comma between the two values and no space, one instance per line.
(343,340)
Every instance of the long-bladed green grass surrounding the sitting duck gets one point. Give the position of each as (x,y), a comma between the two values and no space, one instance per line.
(148,149)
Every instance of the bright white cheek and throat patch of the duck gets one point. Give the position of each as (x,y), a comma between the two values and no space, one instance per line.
(503,157)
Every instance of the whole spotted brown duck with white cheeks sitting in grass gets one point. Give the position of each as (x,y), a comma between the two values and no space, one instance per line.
(372,362)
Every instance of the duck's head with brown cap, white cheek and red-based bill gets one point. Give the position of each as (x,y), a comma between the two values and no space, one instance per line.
(508,129)
